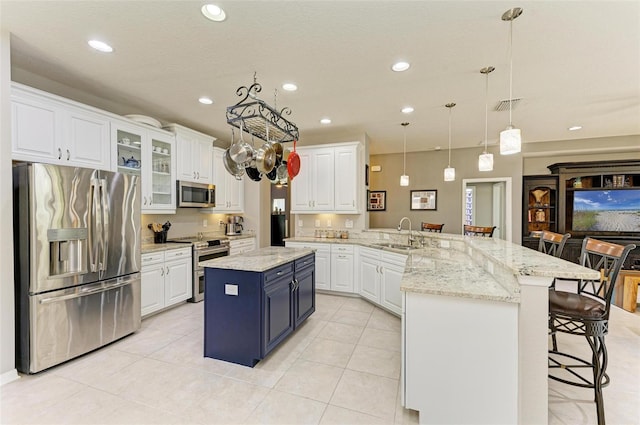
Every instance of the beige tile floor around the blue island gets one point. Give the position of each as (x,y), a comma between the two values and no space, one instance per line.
(341,367)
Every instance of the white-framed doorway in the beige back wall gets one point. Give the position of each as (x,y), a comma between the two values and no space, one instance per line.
(487,202)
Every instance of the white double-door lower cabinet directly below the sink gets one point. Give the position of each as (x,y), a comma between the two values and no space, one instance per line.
(380,273)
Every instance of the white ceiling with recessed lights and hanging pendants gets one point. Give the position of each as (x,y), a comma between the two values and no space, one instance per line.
(575,63)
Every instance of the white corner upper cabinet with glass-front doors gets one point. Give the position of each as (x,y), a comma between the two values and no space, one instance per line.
(150,154)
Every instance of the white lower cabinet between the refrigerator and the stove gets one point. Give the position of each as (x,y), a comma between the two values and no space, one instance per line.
(166,279)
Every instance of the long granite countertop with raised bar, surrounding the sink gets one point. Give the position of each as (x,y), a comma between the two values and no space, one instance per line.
(464,266)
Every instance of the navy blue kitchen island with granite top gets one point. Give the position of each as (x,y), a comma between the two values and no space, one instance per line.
(254,300)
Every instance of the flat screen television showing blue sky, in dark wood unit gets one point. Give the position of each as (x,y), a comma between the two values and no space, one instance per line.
(610,211)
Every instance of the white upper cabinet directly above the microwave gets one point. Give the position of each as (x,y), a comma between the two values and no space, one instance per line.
(194,156)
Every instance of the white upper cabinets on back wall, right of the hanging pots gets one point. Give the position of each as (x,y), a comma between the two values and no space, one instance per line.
(330,179)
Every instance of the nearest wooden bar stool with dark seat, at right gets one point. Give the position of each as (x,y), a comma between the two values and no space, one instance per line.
(585,312)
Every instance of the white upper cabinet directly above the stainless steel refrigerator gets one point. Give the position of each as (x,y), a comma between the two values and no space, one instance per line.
(51,129)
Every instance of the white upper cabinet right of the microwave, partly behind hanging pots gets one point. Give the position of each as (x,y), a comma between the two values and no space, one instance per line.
(229,190)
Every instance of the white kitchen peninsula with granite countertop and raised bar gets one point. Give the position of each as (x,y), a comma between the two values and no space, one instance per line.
(474,325)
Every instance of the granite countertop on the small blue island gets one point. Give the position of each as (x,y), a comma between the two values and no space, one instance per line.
(258,260)
